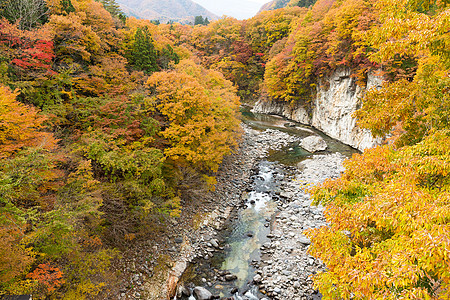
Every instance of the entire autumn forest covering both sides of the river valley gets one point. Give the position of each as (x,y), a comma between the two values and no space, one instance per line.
(107,123)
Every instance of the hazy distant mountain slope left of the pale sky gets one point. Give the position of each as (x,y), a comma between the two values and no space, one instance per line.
(183,11)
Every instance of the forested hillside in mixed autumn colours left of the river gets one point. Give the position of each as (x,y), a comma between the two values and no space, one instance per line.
(103,119)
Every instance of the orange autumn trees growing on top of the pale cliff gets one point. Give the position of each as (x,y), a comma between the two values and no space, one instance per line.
(326,37)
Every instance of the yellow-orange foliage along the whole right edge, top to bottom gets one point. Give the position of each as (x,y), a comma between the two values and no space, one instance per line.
(388,213)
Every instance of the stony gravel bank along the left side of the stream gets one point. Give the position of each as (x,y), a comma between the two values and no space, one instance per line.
(151,269)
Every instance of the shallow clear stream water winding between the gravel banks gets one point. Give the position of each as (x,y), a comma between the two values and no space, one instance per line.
(250,226)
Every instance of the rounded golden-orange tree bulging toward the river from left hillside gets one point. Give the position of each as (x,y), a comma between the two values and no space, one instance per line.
(200,109)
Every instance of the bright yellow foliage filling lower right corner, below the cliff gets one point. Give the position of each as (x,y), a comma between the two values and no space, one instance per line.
(389,224)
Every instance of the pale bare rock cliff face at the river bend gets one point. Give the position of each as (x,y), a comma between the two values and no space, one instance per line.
(331,110)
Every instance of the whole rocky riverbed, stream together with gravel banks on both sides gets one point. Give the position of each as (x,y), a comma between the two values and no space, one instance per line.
(253,240)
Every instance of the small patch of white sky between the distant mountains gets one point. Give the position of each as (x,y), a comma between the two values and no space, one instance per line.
(240,9)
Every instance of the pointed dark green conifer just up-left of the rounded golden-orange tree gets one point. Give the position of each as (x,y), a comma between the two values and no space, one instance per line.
(143,53)
